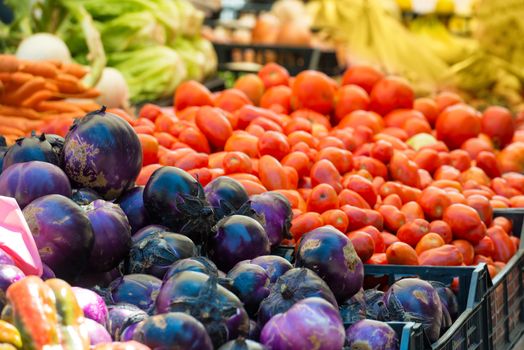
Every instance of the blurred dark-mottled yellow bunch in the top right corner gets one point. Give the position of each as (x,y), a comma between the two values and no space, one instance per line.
(499,28)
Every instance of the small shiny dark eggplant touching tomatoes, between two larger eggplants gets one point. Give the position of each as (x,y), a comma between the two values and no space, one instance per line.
(226,196)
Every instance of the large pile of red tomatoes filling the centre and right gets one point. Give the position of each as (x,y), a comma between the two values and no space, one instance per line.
(409,180)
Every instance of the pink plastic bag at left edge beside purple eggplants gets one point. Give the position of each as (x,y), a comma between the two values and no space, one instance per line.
(16,239)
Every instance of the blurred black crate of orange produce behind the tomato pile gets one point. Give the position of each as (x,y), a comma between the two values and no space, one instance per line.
(239,59)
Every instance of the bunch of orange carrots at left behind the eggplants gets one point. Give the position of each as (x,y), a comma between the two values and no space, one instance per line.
(34,93)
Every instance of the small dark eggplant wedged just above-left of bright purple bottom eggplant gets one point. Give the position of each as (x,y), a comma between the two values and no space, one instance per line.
(250,284)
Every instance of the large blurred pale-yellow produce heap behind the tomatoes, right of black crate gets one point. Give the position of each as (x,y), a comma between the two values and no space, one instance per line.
(371,34)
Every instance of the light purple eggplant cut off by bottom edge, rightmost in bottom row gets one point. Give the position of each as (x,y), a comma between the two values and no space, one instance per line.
(371,334)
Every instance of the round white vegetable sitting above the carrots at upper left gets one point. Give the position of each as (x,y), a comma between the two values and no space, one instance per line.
(43,46)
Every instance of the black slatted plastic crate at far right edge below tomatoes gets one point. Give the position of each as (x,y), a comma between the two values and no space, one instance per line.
(505,300)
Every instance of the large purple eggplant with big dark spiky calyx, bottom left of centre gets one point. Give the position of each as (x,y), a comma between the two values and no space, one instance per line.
(200,296)
